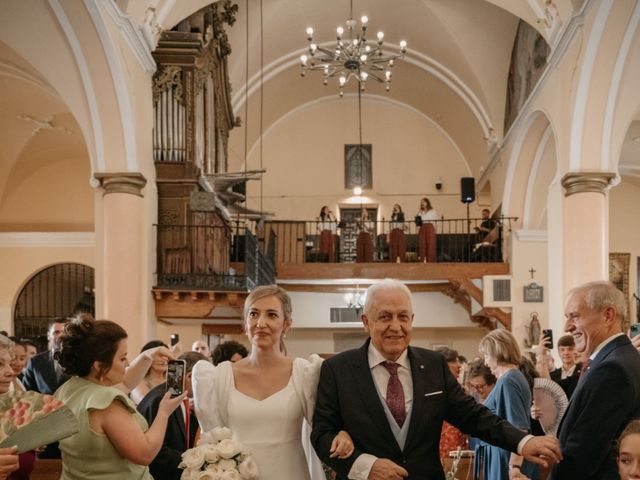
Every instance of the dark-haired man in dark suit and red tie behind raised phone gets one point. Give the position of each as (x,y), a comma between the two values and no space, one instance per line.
(182,425)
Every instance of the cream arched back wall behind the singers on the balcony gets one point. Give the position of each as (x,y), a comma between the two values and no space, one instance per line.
(305,171)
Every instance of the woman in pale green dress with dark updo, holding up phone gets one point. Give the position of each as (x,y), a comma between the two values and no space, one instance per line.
(114,441)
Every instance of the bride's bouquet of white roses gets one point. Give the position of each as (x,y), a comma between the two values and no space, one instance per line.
(218,457)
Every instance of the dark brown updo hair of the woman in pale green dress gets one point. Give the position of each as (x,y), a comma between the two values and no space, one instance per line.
(86,341)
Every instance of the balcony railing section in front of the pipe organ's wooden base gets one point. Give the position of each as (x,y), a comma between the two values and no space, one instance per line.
(197,257)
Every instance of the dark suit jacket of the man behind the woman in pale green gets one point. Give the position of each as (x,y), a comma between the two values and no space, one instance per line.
(165,465)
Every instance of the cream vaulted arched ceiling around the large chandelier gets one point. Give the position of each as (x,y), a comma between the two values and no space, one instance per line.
(455,71)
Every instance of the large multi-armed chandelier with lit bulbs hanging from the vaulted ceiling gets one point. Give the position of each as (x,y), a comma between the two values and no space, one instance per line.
(354,56)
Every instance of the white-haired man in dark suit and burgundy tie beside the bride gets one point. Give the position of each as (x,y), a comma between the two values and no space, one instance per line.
(392,399)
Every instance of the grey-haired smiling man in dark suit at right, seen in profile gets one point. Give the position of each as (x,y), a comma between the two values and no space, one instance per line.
(608,393)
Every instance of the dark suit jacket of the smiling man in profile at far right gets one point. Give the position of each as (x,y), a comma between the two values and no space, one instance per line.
(606,399)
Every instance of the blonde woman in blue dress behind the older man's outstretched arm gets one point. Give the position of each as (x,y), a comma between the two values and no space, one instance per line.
(509,399)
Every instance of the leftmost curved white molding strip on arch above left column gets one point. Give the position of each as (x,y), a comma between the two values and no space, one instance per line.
(97,154)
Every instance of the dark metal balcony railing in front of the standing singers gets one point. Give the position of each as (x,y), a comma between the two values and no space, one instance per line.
(451,240)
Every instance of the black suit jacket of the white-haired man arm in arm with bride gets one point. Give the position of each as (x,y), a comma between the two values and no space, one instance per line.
(348,400)
